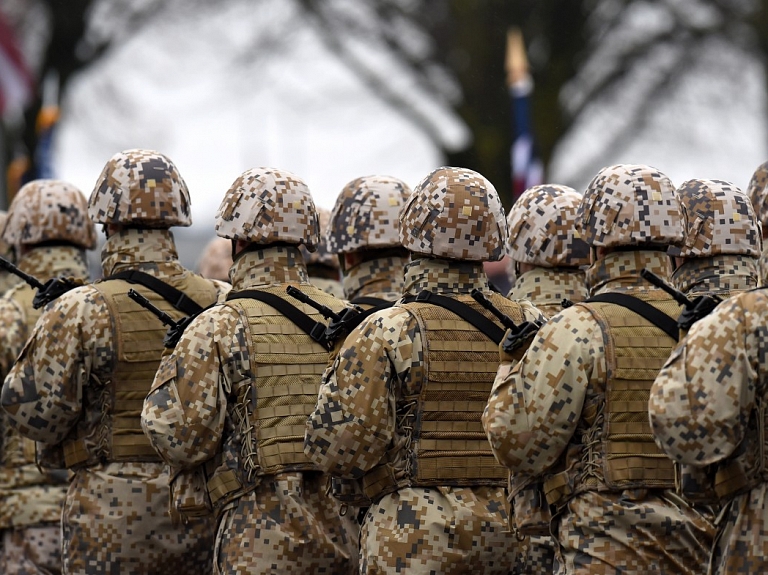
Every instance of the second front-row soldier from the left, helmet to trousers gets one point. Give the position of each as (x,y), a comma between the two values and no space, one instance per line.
(236,391)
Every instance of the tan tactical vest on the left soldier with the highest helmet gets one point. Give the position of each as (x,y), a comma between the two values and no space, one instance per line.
(138,335)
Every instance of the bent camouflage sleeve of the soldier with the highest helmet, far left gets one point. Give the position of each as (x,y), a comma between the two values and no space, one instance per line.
(43,393)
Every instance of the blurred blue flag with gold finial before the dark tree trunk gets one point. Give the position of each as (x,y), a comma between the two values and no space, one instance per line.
(527,168)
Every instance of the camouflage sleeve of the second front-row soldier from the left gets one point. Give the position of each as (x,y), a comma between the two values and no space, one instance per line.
(185,411)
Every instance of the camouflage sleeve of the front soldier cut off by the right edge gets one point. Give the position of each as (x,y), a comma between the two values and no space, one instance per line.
(702,398)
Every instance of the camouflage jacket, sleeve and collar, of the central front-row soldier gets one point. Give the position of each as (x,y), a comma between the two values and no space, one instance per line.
(354,423)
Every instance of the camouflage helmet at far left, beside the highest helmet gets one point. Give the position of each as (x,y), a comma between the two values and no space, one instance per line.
(49,211)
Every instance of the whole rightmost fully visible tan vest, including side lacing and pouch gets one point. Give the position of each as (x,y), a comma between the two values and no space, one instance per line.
(618,450)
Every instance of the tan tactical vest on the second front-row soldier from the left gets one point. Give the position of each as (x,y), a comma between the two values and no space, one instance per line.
(271,414)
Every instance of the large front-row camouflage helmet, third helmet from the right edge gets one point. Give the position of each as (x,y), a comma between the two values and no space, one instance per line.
(630,205)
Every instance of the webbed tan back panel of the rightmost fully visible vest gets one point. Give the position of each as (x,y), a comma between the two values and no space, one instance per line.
(636,350)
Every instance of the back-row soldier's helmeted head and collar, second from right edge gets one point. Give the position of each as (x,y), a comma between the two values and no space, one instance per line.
(720,255)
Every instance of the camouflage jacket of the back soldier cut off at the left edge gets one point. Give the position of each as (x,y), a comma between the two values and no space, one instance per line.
(28,495)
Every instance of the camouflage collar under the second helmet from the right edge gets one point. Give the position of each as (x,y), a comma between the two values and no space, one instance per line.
(723,275)
